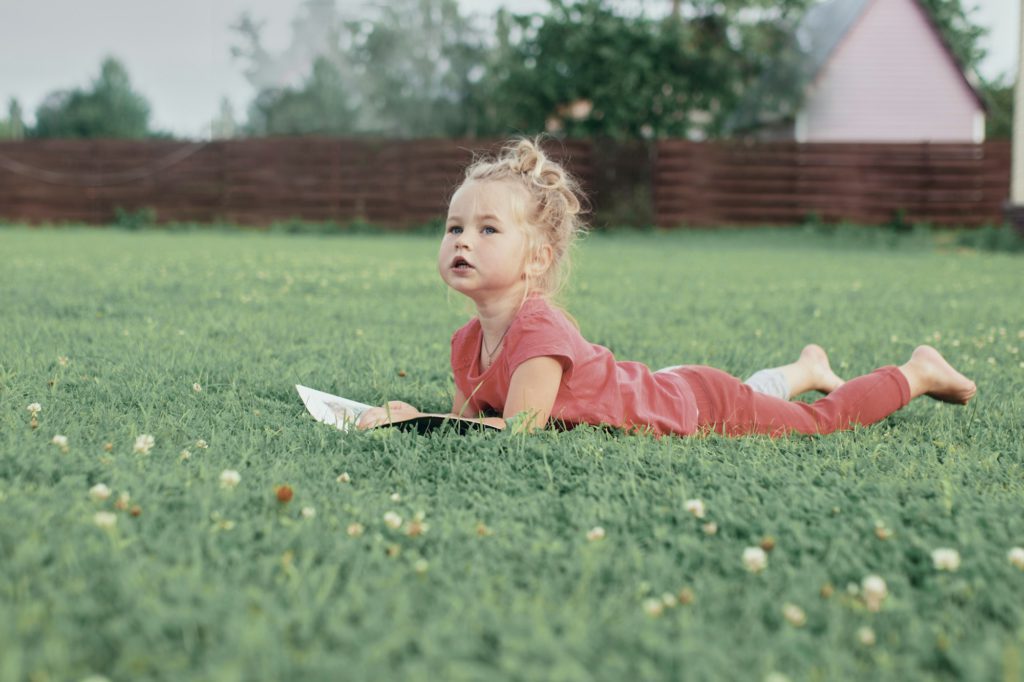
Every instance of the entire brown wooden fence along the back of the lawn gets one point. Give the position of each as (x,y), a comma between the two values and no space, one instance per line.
(400,184)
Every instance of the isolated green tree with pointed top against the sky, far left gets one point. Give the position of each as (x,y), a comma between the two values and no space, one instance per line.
(111,109)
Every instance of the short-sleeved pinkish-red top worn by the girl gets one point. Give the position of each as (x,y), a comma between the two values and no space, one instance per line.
(595,389)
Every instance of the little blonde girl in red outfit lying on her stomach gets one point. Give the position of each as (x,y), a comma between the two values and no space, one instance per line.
(509,230)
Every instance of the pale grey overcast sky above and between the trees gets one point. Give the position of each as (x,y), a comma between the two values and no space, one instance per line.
(179,52)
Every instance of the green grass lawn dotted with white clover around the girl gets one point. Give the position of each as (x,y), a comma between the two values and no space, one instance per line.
(201,336)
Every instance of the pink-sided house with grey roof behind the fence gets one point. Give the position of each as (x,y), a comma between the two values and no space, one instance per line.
(874,71)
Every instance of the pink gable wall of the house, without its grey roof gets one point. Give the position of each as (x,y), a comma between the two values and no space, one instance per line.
(891,79)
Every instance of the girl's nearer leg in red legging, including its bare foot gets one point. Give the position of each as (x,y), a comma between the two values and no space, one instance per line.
(729,407)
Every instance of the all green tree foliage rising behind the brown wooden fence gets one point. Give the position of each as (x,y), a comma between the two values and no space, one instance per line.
(429,68)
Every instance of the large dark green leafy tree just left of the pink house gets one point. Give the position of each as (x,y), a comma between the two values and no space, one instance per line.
(585,69)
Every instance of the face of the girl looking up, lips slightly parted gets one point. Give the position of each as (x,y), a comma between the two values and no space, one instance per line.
(484,253)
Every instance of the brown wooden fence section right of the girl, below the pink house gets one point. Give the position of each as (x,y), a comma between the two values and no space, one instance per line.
(786,183)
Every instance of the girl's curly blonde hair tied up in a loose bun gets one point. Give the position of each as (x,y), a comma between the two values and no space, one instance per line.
(554,218)
